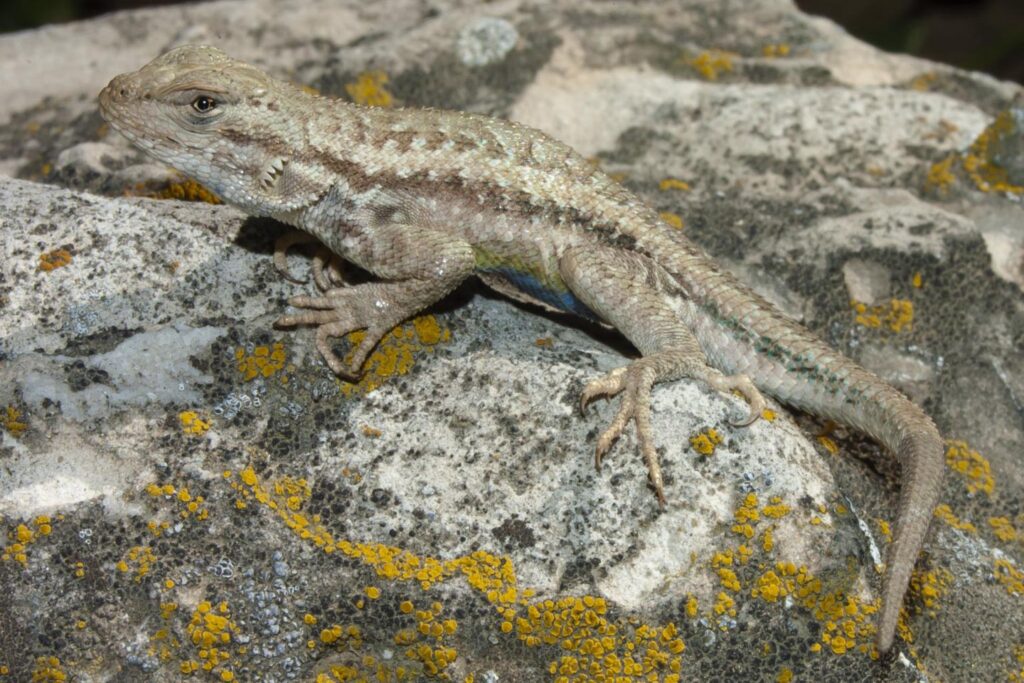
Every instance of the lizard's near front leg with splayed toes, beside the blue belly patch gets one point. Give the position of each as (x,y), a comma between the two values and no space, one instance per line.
(418,267)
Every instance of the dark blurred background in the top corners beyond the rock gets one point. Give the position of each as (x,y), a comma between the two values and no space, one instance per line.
(982,35)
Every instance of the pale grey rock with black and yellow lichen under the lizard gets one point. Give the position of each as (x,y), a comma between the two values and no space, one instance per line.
(187,491)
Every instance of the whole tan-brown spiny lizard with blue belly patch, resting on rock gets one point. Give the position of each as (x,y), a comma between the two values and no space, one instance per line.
(424,199)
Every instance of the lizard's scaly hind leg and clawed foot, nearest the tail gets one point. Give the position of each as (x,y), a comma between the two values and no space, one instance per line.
(628,290)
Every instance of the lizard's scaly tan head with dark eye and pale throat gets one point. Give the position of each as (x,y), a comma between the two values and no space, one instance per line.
(224,122)
